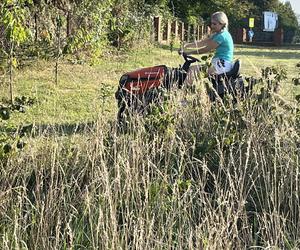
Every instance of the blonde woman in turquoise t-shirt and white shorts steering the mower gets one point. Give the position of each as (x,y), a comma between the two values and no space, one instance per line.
(220,41)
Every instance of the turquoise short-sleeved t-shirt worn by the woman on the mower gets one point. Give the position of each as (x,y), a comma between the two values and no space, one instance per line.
(225,48)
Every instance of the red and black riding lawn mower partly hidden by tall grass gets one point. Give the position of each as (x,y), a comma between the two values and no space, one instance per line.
(137,89)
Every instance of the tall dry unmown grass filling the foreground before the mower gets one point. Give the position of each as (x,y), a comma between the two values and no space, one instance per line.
(193,176)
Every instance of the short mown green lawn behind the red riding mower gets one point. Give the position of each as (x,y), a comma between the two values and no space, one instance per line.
(85,92)
